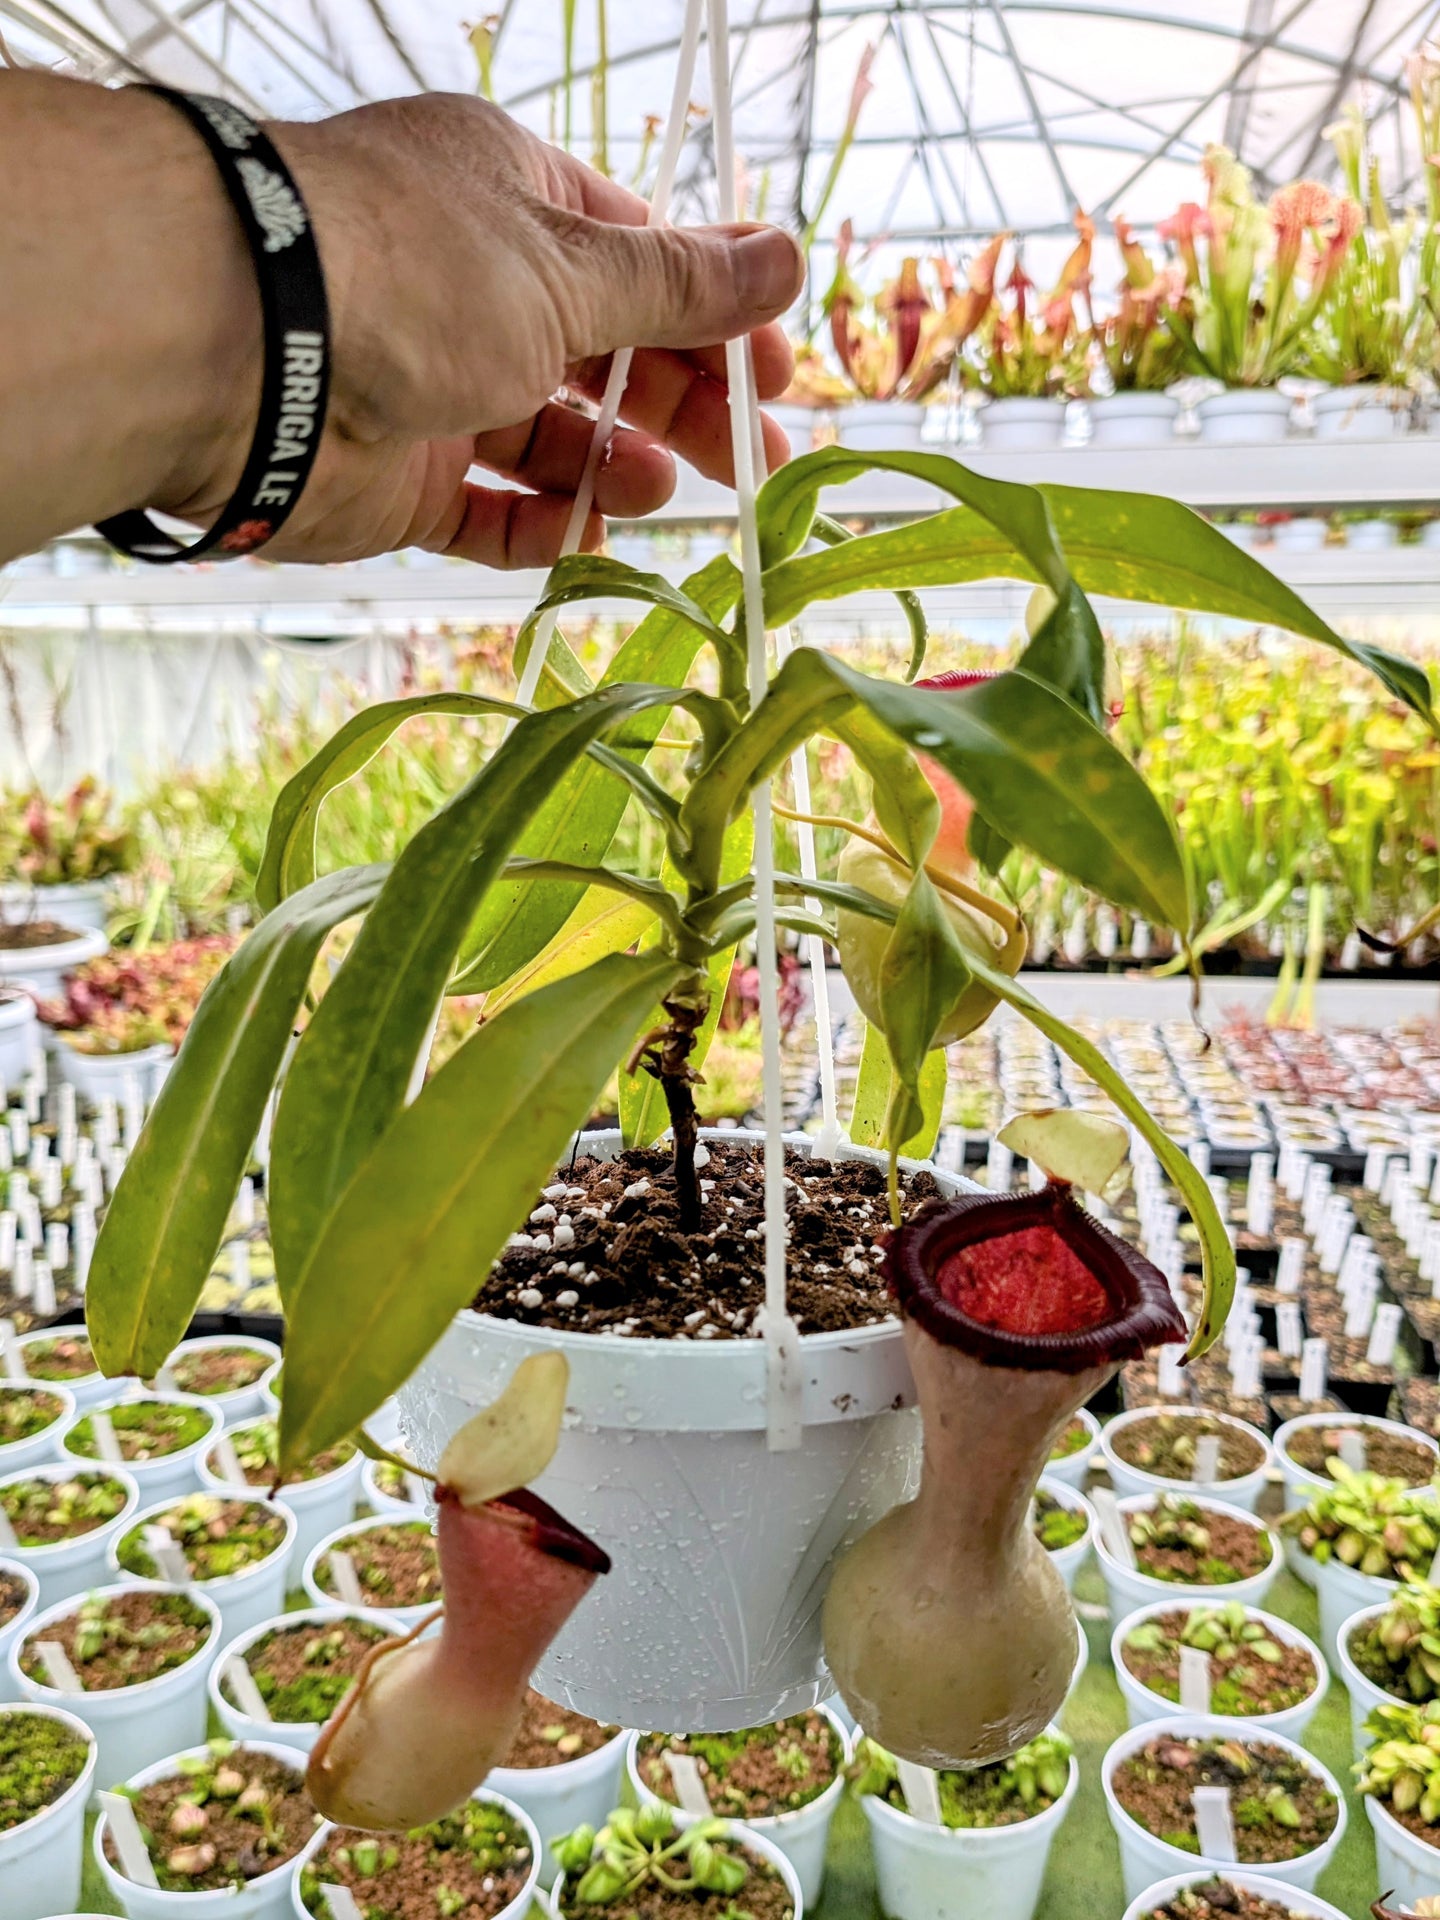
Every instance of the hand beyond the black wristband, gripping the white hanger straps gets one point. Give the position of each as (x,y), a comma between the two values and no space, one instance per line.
(473,272)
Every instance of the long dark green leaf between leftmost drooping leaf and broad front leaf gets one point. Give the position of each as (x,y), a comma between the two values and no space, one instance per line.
(354,1065)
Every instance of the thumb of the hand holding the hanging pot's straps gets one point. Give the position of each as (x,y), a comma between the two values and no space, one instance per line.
(675,287)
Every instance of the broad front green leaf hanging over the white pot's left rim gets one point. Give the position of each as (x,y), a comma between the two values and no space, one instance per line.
(454,1178)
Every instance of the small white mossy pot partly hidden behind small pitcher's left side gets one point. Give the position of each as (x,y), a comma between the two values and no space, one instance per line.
(304,1664)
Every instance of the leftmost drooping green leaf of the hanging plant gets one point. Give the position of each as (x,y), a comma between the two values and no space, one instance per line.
(168,1216)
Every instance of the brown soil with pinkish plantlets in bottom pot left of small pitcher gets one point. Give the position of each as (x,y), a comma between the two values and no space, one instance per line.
(241,1842)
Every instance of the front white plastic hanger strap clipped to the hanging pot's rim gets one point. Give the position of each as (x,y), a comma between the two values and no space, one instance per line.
(782,1337)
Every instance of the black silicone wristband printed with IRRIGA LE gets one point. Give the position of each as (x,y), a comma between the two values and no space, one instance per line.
(297,316)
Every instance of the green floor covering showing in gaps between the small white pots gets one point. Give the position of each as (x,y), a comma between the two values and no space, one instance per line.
(1084,1881)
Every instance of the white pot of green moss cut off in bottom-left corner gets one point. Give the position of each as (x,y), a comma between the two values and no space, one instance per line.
(47,1771)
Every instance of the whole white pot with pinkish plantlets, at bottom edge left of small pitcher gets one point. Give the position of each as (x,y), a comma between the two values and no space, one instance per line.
(224,1827)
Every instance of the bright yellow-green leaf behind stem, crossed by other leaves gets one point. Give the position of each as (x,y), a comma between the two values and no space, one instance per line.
(583,815)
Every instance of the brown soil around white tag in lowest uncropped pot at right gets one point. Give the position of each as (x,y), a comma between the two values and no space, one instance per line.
(1157,1785)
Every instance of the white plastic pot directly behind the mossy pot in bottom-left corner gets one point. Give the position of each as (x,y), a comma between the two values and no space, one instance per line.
(133,1725)
